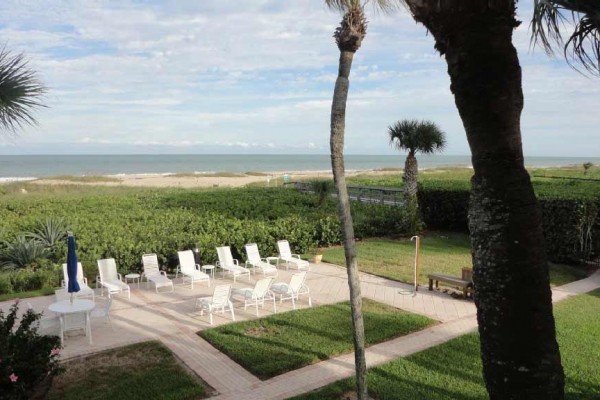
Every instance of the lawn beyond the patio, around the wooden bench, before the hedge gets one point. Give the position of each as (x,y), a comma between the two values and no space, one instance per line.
(441,252)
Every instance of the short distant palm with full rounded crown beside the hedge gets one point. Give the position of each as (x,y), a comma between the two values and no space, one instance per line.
(415,136)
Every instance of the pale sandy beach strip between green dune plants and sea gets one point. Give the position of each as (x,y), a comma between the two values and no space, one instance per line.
(202,180)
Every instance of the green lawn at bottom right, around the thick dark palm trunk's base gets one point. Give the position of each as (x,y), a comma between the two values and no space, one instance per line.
(452,371)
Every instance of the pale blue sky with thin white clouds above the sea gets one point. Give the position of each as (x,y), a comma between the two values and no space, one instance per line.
(256,76)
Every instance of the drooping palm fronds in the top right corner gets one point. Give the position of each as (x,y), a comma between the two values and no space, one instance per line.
(583,44)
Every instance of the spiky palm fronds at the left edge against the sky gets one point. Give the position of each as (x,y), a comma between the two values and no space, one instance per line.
(20,92)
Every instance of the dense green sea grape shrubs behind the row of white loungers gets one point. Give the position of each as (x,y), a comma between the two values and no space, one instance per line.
(128,223)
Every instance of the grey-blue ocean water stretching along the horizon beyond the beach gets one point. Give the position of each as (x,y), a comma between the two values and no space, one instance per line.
(30,166)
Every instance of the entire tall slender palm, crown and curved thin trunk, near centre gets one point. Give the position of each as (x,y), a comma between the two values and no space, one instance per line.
(348,37)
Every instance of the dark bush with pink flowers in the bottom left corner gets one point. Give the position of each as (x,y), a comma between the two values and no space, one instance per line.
(26,357)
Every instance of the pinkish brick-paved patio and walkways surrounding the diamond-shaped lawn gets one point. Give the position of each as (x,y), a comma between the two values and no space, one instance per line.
(173,319)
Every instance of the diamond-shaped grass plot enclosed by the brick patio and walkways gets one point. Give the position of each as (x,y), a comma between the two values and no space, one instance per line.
(283,342)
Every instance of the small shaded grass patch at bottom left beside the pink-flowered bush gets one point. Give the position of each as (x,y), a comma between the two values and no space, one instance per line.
(140,371)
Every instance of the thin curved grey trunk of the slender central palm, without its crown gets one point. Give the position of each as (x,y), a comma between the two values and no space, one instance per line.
(338,116)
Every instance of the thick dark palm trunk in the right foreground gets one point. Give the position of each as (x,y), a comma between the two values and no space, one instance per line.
(519,351)
